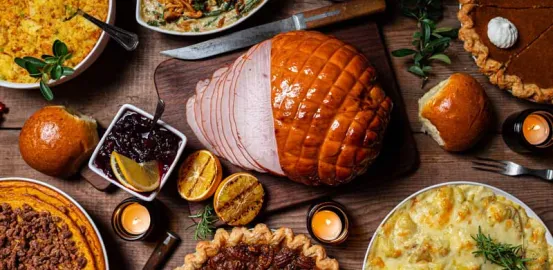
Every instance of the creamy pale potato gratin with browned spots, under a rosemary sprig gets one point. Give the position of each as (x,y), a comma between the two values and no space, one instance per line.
(434,231)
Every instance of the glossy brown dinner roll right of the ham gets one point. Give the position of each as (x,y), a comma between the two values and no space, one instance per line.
(455,112)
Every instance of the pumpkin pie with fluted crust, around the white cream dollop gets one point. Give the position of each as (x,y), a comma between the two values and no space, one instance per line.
(525,68)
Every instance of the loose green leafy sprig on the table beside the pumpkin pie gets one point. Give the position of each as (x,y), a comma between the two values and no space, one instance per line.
(430,42)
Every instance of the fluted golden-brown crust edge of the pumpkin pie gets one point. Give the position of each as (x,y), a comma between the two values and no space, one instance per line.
(496,70)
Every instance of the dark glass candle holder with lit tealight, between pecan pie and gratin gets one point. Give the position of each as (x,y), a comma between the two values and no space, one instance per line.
(328,222)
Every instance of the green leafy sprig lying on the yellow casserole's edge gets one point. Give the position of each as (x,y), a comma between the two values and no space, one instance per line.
(50,67)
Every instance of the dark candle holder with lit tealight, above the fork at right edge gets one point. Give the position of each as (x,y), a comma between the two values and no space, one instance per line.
(529,131)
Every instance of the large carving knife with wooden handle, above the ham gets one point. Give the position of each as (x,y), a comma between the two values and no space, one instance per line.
(301,21)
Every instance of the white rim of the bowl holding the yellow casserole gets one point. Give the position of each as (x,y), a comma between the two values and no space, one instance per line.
(83,65)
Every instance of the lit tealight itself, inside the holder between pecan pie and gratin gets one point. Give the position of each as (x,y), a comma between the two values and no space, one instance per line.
(326,225)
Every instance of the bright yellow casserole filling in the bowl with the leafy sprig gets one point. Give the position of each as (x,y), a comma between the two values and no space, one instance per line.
(30,27)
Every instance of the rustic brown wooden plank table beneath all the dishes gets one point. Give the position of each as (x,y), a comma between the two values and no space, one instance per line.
(120,77)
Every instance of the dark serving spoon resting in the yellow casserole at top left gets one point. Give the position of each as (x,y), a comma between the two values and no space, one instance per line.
(127,39)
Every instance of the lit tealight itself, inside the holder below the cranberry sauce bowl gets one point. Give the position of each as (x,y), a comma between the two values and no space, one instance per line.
(135,219)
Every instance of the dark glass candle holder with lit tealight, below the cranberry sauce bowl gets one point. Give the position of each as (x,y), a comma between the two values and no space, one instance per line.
(134,219)
